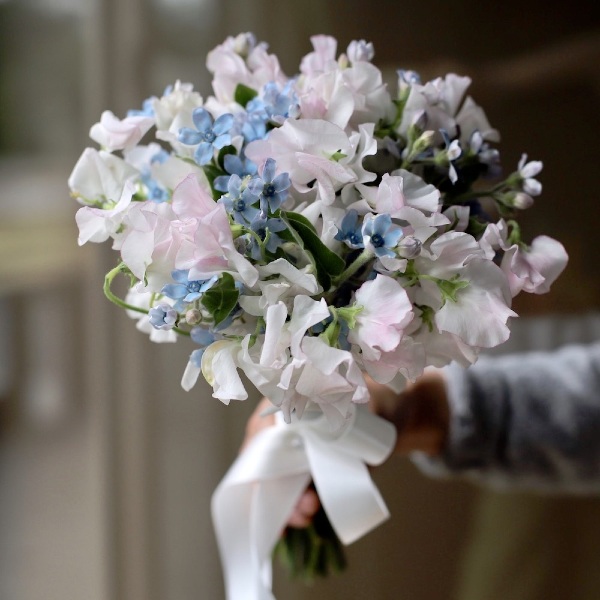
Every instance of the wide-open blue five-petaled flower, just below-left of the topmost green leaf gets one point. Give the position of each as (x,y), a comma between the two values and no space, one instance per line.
(207,135)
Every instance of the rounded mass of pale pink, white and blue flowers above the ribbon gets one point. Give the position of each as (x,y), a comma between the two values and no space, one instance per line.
(309,230)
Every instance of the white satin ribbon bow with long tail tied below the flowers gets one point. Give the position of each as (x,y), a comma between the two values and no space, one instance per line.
(251,505)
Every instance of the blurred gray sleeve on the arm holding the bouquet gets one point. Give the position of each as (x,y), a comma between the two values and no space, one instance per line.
(526,420)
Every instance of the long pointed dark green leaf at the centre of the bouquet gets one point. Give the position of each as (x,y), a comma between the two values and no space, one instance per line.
(326,262)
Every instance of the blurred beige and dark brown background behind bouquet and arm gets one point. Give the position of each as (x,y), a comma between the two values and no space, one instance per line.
(106,465)
